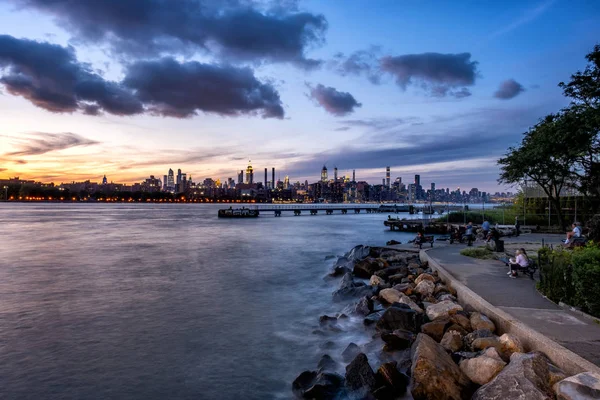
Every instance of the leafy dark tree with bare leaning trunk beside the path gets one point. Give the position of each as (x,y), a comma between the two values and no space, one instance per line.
(544,157)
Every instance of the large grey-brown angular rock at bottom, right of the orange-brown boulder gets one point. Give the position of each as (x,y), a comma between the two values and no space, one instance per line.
(525,377)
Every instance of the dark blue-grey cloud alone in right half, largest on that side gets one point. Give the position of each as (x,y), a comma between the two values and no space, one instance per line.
(439,73)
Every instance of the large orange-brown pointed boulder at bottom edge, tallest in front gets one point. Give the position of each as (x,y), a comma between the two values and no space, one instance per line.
(433,373)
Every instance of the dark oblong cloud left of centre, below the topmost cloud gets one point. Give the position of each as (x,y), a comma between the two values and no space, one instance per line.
(174,89)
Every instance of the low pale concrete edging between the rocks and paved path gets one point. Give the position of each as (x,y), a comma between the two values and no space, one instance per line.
(562,357)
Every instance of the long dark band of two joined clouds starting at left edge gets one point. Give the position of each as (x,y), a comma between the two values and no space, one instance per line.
(50,77)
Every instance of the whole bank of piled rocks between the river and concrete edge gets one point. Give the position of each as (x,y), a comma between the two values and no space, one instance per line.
(425,344)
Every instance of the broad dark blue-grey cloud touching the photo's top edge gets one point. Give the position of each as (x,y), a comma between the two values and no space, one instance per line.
(241,30)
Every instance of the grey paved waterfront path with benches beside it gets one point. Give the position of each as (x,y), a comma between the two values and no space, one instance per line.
(519,298)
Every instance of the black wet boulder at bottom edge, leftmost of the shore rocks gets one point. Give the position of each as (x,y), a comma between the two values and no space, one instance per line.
(314,385)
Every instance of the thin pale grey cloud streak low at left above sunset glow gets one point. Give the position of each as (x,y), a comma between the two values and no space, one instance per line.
(42,142)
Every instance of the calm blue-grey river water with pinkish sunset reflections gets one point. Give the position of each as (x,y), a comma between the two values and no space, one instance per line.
(109,301)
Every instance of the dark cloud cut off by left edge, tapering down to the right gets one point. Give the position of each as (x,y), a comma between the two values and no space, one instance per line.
(50,77)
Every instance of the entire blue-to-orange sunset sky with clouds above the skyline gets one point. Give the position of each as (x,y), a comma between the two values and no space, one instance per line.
(129,89)
